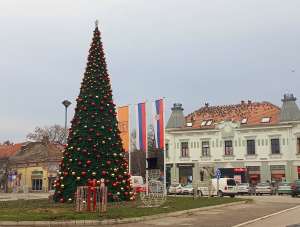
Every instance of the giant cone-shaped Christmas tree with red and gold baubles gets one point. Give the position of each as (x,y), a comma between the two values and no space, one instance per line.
(94,148)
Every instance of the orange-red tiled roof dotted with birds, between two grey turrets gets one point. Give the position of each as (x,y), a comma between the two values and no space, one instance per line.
(252,111)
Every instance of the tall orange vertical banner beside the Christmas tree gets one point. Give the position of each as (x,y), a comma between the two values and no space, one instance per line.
(123,124)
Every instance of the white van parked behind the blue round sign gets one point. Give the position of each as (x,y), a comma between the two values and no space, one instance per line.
(227,187)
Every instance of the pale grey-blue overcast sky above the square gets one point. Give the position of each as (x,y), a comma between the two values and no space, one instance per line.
(189,51)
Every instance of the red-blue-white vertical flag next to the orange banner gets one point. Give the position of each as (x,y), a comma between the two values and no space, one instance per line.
(141,129)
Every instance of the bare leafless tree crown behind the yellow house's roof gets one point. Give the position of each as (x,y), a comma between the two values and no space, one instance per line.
(52,134)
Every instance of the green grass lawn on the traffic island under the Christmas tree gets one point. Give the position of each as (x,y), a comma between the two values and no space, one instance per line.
(40,210)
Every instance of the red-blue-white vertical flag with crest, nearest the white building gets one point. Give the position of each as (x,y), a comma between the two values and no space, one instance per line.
(159,124)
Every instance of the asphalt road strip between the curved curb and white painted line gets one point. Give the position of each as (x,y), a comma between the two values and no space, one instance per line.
(226,217)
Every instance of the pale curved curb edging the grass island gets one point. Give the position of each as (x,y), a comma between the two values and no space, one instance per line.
(114,221)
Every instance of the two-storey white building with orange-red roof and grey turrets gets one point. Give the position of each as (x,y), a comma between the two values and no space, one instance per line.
(250,141)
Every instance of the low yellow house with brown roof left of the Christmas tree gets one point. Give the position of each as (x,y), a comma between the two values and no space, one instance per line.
(33,167)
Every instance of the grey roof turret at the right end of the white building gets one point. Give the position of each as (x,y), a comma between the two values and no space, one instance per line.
(289,110)
